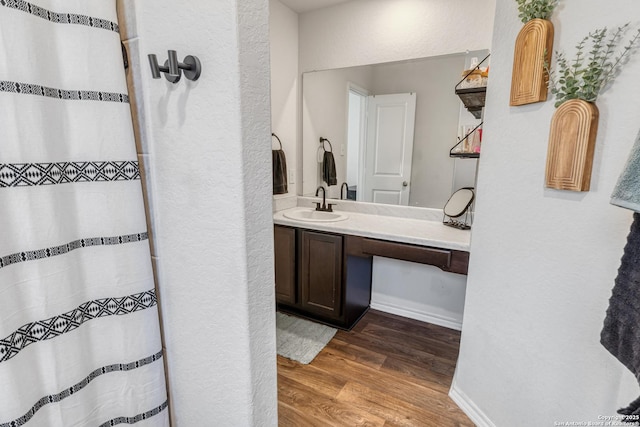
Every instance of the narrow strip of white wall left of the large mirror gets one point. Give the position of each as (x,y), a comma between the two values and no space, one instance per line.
(283,37)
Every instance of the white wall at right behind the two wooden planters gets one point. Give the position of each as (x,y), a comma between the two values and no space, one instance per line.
(543,262)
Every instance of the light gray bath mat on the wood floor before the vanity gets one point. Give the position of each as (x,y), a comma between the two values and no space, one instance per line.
(299,339)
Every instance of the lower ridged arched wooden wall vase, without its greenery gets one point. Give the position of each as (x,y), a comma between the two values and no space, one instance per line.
(572,140)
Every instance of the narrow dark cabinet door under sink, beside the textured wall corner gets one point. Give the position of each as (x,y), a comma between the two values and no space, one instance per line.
(284,240)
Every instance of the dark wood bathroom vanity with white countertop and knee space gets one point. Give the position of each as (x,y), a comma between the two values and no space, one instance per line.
(323,269)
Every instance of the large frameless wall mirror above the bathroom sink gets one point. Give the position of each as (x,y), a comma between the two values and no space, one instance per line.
(339,104)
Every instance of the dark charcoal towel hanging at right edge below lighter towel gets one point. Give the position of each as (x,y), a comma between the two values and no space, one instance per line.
(621,332)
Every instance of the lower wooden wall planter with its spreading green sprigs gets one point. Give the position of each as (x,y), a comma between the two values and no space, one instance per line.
(576,85)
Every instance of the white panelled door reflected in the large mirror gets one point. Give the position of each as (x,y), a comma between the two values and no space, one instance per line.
(387,171)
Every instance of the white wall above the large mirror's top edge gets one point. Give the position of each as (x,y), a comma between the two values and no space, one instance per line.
(362,32)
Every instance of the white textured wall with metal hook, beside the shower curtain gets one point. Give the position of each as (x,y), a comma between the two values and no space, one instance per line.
(205,145)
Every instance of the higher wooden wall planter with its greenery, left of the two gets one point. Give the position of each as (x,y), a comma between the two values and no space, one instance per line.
(533,47)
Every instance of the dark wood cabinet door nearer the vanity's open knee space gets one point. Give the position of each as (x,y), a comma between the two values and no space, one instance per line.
(321,273)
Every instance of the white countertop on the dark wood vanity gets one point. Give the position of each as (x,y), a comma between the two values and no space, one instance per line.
(395,229)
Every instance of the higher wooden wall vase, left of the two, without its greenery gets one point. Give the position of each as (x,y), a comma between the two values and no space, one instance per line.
(533,48)
